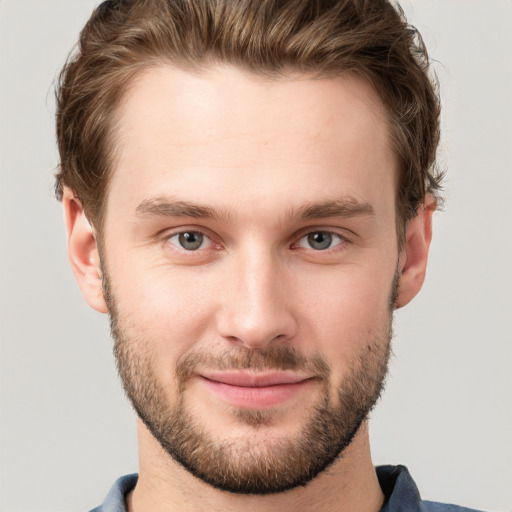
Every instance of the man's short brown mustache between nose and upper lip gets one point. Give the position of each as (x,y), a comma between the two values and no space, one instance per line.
(279,357)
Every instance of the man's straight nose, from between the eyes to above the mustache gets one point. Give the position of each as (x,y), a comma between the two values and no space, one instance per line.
(256,302)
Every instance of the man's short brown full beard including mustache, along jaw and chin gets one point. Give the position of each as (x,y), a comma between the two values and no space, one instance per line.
(241,464)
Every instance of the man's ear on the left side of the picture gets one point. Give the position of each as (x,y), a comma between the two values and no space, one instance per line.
(83,252)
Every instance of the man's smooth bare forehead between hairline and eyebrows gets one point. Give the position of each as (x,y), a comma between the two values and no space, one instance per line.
(224,135)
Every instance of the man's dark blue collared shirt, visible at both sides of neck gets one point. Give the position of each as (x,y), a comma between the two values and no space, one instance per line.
(400,491)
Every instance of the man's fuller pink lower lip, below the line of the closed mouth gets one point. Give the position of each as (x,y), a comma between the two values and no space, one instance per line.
(253,397)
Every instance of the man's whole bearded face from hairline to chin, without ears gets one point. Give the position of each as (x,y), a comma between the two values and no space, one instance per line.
(250,260)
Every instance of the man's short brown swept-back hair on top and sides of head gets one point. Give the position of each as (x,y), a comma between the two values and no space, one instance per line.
(323,37)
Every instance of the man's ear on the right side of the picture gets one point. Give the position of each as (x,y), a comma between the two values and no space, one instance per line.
(414,255)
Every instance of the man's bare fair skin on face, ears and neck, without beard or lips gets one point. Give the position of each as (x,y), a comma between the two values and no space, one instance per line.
(256,153)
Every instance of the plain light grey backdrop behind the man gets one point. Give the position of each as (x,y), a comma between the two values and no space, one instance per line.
(67,431)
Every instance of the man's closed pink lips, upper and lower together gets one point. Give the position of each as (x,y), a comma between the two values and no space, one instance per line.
(261,390)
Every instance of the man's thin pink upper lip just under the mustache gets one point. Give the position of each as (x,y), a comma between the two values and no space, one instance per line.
(254,379)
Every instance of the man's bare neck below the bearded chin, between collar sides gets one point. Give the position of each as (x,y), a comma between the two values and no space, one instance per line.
(350,484)
